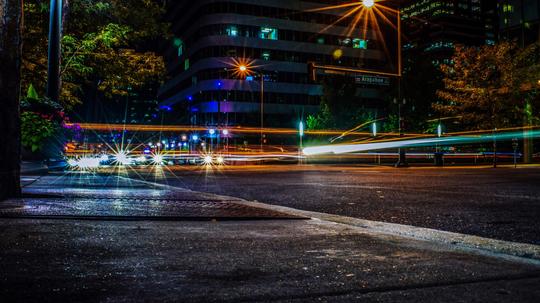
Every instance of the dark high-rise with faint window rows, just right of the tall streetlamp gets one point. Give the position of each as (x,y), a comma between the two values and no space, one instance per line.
(434,27)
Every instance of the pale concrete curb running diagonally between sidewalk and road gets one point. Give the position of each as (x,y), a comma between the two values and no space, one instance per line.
(512,251)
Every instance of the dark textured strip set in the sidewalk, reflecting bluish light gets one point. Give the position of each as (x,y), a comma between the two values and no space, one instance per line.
(135,209)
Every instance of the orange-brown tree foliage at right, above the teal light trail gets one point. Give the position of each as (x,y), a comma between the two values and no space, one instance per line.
(490,86)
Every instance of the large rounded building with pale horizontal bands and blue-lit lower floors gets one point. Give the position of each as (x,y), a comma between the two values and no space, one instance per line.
(278,38)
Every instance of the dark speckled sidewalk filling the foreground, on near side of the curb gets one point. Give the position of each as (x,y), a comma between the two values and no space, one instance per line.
(80,242)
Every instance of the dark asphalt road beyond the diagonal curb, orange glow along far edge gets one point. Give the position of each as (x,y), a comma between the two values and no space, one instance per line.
(501,203)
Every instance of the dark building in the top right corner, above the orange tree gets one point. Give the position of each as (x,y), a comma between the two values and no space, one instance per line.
(519,20)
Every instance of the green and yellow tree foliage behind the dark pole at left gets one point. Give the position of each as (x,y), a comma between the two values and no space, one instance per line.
(104,47)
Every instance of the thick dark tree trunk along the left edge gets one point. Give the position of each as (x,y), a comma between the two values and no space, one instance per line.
(10,76)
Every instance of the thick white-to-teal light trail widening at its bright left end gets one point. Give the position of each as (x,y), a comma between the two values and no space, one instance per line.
(457,140)
